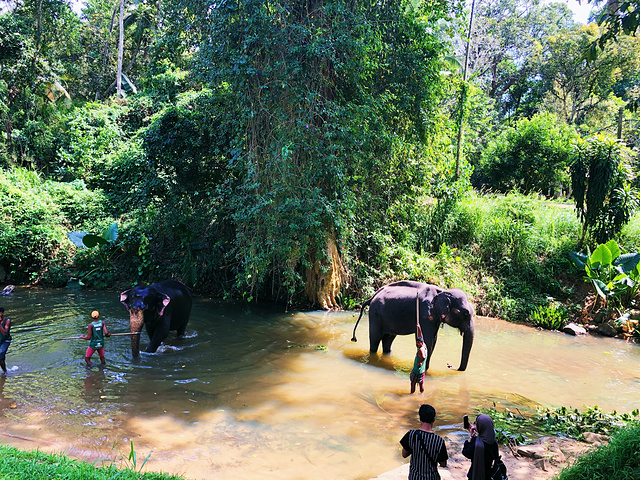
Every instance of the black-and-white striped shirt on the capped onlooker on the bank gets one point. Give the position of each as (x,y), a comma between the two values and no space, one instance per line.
(427,450)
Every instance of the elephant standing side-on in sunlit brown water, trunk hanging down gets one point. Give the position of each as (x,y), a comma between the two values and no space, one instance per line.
(392,312)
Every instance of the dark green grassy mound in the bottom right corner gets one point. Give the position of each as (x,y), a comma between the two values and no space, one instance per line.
(617,460)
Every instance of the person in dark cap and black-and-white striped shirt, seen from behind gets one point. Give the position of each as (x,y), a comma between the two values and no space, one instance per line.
(427,449)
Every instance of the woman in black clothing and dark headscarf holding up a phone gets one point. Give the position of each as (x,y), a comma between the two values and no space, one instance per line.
(481,448)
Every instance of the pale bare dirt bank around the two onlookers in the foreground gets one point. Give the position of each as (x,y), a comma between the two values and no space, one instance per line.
(539,461)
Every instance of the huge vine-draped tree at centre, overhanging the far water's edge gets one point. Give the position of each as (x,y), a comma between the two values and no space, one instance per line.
(335,102)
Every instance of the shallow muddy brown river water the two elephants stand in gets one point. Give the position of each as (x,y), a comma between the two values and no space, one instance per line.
(256,393)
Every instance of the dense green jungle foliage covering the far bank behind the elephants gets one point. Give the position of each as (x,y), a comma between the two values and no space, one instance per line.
(263,134)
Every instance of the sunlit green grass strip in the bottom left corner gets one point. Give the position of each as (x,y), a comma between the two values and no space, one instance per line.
(37,465)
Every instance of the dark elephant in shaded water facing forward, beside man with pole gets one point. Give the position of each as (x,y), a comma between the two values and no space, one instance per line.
(161,307)
